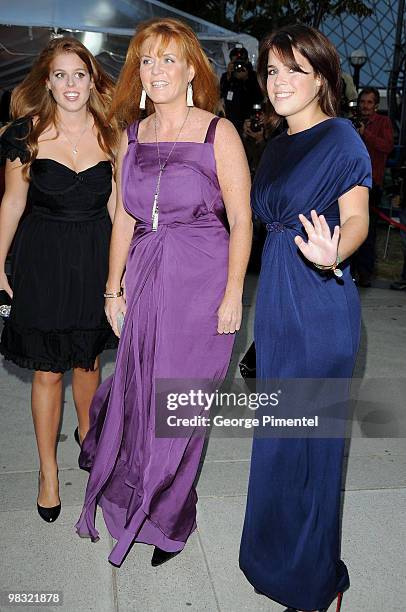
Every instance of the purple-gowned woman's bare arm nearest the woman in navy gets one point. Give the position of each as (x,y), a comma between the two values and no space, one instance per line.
(234,179)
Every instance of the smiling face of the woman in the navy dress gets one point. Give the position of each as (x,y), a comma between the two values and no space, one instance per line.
(292,93)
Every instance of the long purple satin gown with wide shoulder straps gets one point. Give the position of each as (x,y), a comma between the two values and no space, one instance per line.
(175,281)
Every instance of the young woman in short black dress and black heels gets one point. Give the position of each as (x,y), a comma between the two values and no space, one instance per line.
(59,152)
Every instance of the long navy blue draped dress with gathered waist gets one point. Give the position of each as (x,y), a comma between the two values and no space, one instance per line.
(307,325)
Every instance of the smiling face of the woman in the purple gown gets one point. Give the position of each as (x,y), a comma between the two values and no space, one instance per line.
(164,76)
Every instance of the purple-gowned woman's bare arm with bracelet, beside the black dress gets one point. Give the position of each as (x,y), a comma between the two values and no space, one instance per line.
(123,228)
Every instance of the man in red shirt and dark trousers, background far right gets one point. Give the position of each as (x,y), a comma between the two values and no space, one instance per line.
(377,133)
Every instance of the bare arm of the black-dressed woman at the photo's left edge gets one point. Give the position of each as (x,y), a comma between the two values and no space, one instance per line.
(11,210)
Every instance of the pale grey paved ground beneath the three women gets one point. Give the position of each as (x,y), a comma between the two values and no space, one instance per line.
(37,556)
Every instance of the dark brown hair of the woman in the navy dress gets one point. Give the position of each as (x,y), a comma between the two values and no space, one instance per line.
(319,52)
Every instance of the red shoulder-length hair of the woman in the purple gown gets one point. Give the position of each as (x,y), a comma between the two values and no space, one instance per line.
(128,92)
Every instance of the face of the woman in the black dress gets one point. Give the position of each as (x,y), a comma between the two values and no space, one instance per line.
(69,81)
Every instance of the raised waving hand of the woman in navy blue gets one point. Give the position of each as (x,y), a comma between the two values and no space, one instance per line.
(321,247)
